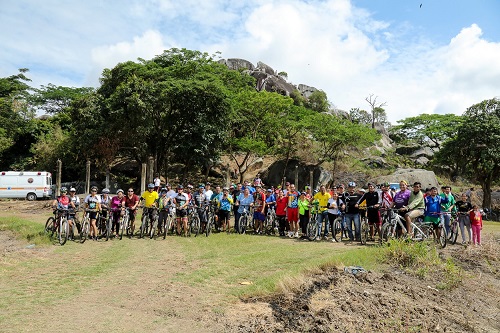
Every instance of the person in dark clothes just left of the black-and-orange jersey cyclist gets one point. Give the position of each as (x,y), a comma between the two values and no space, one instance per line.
(351,198)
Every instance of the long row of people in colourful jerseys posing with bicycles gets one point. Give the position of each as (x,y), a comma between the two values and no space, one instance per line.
(292,210)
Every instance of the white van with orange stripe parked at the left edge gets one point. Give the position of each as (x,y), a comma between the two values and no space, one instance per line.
(25,184)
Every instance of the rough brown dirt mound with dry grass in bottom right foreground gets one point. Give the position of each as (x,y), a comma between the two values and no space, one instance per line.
(392,301)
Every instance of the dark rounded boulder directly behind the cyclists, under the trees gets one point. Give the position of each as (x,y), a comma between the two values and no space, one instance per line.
(274,174)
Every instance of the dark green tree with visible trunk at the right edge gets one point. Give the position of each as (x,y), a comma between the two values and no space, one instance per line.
(476,144)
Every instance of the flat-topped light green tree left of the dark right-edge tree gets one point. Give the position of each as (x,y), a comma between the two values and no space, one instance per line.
(426,129)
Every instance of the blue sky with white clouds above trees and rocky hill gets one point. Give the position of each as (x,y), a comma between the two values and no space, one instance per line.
(439,58)
